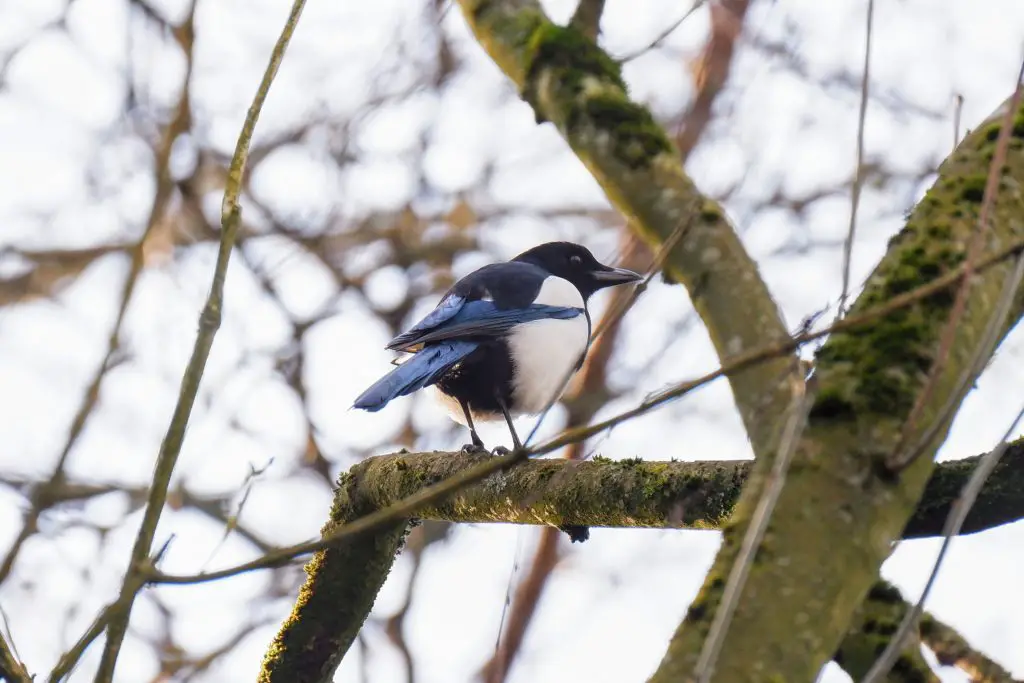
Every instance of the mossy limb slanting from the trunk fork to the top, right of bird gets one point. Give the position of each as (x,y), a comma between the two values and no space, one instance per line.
(578,88)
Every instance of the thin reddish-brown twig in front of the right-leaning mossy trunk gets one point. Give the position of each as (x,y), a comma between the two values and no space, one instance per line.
(902,457)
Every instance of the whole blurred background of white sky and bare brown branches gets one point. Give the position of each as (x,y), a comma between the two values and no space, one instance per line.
(394,159)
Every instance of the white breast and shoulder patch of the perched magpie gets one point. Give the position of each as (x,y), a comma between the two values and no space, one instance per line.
(546,353)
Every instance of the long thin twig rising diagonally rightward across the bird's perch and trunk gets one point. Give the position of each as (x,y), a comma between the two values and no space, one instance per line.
(409,506)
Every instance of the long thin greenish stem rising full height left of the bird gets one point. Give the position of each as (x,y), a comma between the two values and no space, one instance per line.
(208,325)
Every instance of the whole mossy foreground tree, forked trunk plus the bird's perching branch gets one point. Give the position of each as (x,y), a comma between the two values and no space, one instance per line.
(803,588)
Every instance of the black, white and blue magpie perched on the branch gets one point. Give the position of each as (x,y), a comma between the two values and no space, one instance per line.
(504,340)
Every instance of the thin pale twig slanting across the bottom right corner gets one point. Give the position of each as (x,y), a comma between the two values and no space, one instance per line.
(954,524)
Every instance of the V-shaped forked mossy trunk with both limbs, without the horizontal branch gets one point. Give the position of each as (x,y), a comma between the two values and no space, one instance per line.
(869,379)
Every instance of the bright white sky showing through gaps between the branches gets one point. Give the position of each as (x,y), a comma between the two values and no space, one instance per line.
(74,174)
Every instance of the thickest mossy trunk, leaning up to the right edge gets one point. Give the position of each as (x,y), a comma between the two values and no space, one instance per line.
(869,381)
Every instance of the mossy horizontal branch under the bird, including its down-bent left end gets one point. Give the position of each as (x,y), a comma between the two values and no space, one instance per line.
(344,581)
